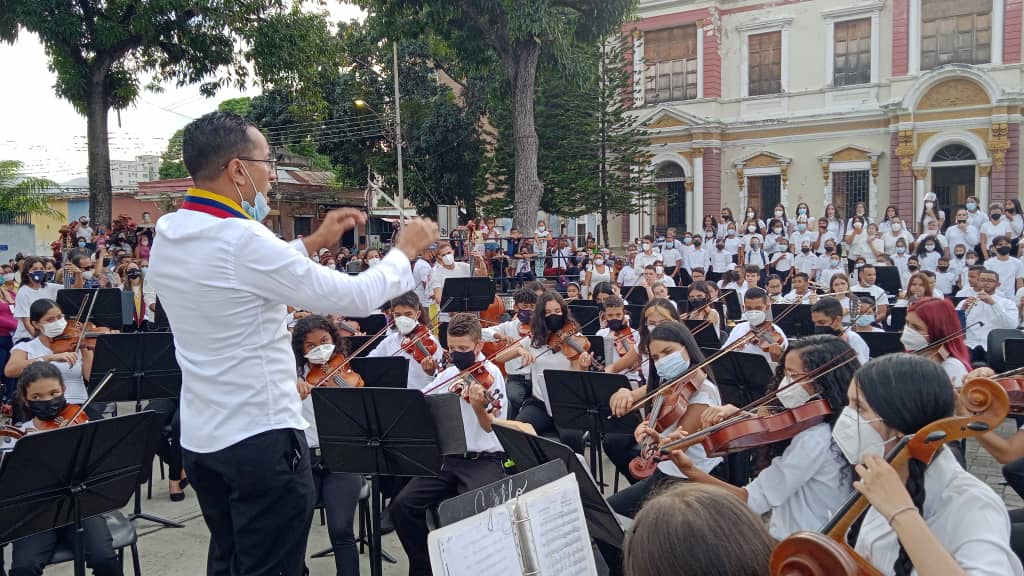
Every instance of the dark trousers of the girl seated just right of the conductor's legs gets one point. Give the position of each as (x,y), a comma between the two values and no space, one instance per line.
(340,495)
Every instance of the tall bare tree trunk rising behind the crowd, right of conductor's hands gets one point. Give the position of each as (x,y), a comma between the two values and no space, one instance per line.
(528,184)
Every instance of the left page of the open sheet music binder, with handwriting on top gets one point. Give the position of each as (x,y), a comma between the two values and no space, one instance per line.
(487,540)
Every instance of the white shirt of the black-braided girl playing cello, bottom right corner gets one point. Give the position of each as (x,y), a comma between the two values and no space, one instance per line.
(968,519)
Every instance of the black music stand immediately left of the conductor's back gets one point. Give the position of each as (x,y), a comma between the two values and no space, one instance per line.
(145,368)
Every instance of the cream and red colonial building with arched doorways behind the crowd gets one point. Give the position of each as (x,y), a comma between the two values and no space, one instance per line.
(754,103)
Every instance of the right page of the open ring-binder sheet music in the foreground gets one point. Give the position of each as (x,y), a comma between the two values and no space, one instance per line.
(560,531)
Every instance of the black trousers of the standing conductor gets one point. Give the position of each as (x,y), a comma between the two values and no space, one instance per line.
(258,499)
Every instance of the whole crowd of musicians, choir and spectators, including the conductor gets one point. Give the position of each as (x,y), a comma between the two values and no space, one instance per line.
(244,432)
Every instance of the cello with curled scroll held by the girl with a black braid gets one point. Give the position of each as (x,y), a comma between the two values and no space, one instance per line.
(827,554)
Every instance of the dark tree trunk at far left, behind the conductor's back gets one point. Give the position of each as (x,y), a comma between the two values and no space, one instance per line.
(98,108)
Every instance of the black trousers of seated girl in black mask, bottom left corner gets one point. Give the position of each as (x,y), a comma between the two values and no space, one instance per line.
(33,553)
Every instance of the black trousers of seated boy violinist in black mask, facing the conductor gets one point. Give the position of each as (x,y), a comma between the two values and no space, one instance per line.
(409,510)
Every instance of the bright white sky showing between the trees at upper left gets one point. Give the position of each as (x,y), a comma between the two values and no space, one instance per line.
(49,137)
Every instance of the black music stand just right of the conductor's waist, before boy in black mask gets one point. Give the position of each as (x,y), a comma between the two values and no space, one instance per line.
(387,432)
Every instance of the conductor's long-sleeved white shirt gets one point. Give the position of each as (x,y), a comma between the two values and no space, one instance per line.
(226,308)
